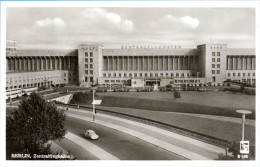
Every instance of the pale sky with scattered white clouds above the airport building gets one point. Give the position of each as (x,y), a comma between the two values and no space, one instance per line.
(61,28)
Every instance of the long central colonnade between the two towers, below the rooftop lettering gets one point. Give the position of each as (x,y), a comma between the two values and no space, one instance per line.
(163,63)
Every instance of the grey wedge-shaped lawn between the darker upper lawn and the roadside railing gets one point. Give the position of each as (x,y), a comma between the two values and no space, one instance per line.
(220,129)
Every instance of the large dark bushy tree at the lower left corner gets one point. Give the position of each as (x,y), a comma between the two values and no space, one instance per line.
(32,125)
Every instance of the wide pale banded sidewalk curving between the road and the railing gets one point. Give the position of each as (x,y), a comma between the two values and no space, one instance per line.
(181,145)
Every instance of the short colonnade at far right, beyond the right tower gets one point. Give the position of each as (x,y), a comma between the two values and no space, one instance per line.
(240,62)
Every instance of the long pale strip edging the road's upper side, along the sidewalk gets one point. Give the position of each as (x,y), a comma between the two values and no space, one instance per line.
(172,148)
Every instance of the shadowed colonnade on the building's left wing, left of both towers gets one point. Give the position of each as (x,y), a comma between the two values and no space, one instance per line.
(28,63)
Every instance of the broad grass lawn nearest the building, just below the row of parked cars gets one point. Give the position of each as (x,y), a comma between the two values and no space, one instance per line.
(214,103)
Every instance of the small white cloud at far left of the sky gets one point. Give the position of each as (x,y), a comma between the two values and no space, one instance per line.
(56,22)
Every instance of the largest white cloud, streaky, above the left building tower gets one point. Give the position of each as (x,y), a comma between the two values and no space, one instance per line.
(101,18)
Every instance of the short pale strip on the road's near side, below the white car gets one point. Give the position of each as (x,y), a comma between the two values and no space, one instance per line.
(92,148)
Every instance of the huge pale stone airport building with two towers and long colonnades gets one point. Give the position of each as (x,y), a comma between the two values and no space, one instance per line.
(91,64)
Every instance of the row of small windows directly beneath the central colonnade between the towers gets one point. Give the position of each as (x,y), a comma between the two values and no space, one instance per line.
(149,75)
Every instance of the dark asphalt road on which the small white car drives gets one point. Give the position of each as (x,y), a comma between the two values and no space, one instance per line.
(121,145)
